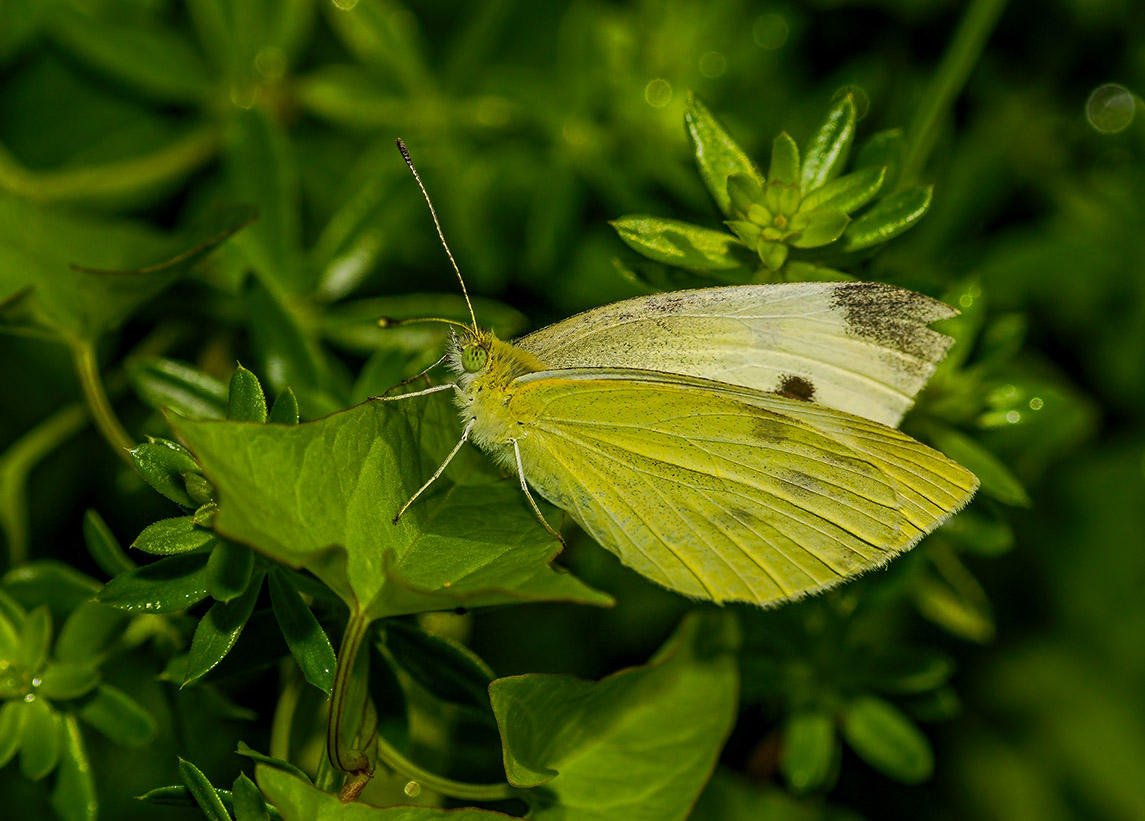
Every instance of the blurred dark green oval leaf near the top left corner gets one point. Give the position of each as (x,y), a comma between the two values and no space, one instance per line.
(155,60)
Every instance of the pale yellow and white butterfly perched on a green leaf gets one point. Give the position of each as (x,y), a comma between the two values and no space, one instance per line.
(731,444)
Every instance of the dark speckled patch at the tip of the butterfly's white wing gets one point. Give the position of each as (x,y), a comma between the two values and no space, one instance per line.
(894,318)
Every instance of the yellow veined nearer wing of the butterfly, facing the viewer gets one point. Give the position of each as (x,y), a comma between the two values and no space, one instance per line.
(728,494)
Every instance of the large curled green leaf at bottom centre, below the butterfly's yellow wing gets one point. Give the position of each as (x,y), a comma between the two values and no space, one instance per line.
(575,737)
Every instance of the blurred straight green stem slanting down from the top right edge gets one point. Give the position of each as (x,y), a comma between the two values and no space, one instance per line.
(947,84)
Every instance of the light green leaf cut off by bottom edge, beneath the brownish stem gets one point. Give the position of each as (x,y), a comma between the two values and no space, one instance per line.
(296,799)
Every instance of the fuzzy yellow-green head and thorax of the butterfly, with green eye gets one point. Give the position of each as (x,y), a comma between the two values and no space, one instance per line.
(485,393)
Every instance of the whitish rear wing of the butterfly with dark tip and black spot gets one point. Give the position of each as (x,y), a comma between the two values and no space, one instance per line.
(863,349)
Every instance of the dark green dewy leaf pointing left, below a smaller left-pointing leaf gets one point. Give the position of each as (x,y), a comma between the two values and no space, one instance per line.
(175,583)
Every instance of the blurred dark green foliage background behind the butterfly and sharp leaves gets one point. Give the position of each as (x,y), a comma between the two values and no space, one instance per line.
(136,131)
